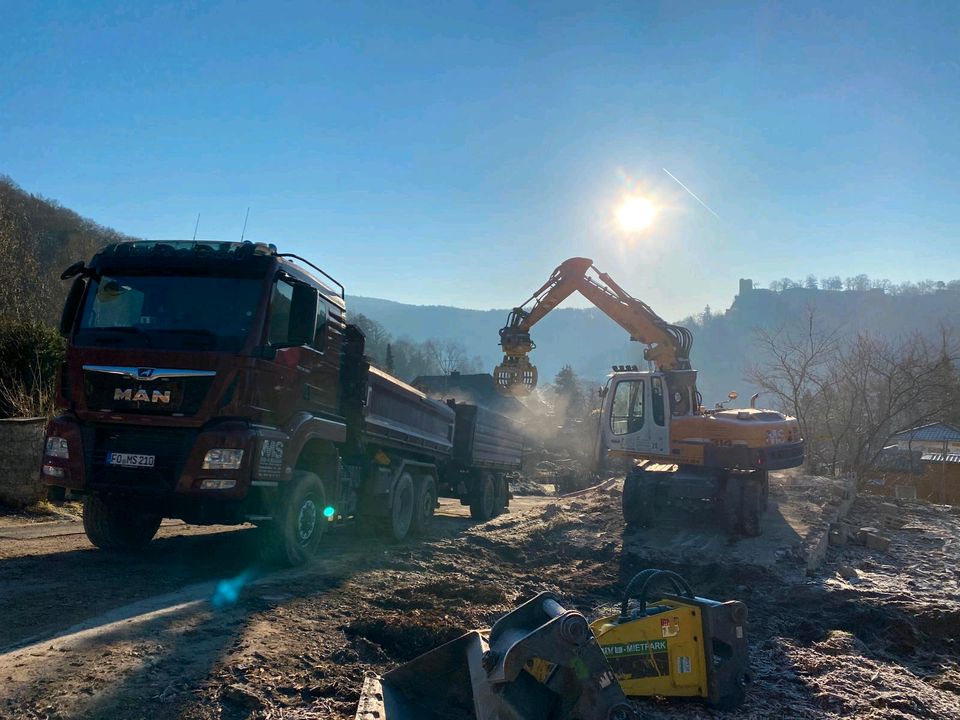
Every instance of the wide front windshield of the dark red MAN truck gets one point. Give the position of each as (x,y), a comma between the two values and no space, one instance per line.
(201,312)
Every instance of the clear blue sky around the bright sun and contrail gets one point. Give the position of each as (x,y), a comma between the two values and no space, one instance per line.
(454,153)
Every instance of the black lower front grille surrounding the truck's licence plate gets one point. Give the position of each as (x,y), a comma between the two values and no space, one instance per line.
(170,447)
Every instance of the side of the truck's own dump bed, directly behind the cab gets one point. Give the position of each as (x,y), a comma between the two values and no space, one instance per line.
(400,415)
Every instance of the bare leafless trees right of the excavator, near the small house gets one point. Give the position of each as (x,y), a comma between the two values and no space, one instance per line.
(851,393)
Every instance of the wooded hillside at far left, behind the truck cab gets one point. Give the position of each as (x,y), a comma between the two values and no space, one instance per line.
(38,239)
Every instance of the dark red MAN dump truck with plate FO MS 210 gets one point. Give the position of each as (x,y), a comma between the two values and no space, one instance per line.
(220,383)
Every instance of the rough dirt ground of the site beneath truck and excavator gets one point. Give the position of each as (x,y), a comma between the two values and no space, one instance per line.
(192,629)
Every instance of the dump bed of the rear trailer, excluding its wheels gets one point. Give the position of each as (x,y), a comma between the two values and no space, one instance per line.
(486,439)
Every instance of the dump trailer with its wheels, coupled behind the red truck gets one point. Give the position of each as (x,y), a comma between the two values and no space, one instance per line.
(486,446)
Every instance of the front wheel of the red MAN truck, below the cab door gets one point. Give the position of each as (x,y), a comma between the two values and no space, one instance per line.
(293,536)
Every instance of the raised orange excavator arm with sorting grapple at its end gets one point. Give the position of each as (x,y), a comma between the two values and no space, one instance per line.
(668,345)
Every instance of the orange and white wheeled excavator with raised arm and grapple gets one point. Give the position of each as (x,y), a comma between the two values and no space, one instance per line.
(681,452)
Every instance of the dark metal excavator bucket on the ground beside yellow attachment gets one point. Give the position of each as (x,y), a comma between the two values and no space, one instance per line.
(539,662)
